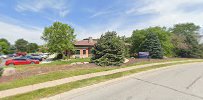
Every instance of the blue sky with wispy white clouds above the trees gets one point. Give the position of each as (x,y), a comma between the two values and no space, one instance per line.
(27,18)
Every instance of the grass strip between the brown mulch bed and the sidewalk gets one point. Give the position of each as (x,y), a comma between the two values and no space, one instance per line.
(62,74)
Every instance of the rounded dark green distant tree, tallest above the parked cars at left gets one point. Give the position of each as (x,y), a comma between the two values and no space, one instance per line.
(21,45)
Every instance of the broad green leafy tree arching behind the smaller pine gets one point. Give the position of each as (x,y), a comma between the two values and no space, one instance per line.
(163,34)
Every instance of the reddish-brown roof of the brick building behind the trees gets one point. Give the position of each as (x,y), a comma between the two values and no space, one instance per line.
(85,43)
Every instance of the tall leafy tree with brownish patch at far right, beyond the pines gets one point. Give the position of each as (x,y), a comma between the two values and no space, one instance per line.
(188,33)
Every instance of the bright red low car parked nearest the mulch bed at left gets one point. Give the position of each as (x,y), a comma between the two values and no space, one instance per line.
(20,61)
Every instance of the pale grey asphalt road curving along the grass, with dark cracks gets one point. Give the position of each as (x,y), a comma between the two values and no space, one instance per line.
(183,82)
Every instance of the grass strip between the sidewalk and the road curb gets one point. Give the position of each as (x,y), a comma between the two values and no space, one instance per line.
(46,92)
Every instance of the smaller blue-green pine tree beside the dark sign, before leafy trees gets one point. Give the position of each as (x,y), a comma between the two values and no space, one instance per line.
(153,46)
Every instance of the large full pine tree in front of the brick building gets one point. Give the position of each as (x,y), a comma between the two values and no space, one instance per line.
(109,50)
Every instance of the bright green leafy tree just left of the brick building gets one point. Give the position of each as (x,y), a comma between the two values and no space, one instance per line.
(59,38)
